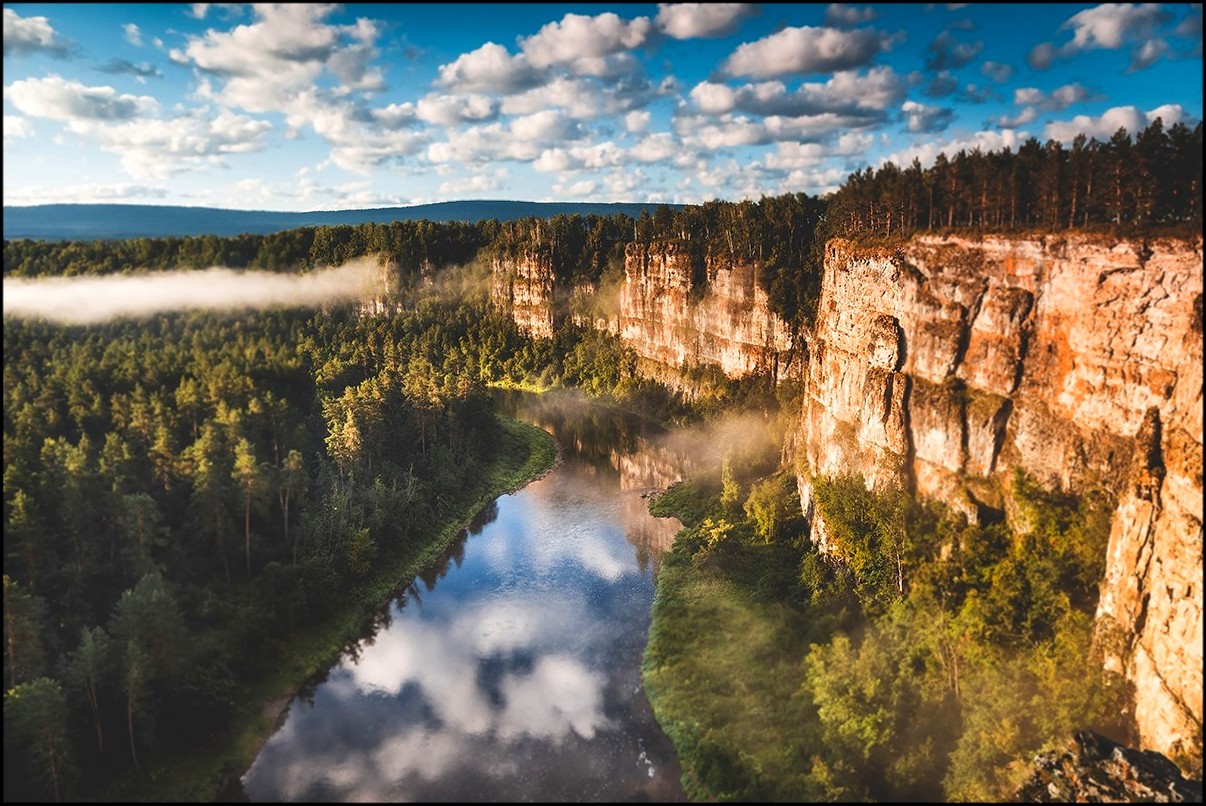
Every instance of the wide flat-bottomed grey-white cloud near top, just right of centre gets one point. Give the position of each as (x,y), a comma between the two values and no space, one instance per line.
(806,50)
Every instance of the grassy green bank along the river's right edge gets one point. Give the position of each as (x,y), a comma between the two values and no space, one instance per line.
(722,667)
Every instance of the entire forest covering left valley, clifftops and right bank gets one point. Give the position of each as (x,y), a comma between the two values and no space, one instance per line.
(188,495)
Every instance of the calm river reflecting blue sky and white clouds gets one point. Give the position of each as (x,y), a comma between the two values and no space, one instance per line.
(512,670)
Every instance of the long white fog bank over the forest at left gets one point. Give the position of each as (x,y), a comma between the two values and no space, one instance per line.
(92,301)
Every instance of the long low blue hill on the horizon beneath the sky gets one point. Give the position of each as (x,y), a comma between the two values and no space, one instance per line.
(121,221)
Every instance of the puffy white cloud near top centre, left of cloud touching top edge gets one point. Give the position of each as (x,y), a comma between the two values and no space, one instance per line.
(586,43)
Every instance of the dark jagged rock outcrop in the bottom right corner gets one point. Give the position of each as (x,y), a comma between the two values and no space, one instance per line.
(1096,770)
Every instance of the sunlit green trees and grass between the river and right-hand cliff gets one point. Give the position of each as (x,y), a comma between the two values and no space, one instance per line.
(936,659)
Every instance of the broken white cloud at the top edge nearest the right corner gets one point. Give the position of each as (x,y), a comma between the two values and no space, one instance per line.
(1111,26)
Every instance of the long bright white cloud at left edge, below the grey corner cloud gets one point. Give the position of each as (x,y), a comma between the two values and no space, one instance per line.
(60,100)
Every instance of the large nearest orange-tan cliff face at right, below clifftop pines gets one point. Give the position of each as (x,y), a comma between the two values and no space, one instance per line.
(949,364)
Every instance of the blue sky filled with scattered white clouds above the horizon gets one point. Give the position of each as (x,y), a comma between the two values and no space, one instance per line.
(318,107)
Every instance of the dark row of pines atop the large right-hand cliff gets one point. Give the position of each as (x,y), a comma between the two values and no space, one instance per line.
(1154,180)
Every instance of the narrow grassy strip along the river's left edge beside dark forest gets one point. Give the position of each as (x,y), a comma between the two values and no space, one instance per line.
(213,774)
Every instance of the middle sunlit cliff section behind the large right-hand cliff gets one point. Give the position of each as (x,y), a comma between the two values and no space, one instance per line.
(728,323)
